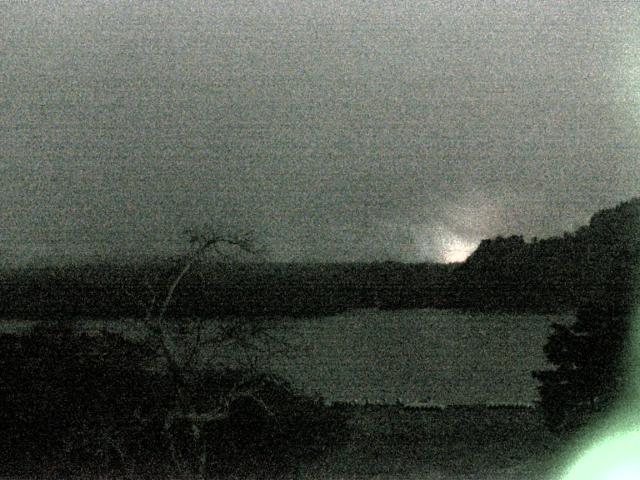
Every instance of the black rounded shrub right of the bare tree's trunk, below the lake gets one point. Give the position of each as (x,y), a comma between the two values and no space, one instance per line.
(266,434)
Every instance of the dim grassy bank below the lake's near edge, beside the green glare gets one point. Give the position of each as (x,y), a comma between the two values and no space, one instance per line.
(452,443)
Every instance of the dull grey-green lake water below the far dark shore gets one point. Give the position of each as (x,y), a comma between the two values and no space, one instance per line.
(436,356)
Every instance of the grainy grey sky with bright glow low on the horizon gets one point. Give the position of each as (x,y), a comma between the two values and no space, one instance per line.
(340,130)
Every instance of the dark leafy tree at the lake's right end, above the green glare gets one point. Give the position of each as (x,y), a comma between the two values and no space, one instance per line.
(593,362)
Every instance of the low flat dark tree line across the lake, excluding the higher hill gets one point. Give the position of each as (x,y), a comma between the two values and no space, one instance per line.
(214,289)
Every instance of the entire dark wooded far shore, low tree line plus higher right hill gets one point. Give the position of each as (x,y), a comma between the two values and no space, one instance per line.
(554,274)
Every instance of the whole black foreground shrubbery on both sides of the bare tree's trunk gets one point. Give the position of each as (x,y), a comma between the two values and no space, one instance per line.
(89,405)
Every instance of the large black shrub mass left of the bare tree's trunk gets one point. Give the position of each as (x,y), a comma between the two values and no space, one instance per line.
(67,398)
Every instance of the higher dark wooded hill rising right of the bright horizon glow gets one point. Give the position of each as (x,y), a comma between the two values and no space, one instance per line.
(596,261)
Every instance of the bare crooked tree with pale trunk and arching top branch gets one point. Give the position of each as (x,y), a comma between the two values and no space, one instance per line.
(185,362)
